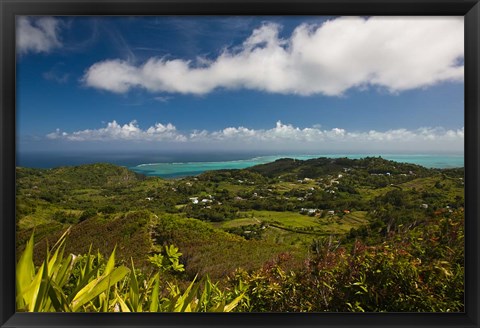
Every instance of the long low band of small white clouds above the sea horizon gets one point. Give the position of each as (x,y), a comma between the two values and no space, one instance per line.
(281,136)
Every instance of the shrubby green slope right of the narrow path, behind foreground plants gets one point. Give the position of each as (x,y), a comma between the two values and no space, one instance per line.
(211,251)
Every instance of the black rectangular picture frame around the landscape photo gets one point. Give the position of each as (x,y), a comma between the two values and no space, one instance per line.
(10,8)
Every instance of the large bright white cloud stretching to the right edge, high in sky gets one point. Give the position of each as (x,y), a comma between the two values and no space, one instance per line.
(396,53)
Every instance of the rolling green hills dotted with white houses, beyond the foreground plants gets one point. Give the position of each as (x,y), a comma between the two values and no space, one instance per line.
(229,219)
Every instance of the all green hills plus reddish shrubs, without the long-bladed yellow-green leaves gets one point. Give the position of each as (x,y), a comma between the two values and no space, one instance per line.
(316,235)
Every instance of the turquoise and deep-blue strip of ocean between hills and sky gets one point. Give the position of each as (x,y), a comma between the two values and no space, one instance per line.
(163,164)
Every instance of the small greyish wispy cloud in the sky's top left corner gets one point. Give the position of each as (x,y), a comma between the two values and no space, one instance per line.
(37,34)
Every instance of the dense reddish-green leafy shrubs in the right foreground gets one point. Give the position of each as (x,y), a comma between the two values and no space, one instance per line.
(417,270)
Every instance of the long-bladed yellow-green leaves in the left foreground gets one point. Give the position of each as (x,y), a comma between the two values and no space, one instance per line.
(89,283)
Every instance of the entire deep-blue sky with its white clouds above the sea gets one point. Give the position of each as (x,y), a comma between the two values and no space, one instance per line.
(308,84)
